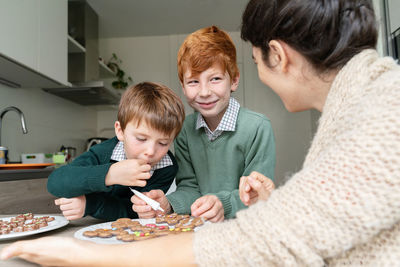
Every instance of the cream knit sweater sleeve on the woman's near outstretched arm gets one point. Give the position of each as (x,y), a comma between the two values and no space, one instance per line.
(345,197)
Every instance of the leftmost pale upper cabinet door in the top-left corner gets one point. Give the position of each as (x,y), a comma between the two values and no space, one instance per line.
(18,30)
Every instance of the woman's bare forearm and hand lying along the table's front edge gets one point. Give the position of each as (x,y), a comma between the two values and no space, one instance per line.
(173,250)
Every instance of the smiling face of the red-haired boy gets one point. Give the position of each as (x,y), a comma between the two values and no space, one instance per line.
(209,92)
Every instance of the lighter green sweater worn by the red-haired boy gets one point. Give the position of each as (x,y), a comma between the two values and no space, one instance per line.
(215,167)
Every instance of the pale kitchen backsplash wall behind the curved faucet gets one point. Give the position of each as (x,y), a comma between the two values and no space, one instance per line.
(51,122)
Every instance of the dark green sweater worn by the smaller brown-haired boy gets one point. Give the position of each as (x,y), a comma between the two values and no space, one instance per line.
(86,176)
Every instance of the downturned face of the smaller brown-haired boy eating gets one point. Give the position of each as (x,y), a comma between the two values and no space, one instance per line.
(143,142)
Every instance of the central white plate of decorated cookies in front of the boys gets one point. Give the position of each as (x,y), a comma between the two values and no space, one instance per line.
(129,230)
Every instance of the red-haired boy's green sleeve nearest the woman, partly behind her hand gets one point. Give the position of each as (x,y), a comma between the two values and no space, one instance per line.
(260,157)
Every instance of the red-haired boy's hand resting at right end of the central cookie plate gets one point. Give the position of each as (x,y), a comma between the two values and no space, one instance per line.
(209,207)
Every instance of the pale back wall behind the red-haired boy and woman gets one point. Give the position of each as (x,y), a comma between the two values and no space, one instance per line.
(154,59)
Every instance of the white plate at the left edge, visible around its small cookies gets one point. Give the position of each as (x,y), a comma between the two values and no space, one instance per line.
(59,221)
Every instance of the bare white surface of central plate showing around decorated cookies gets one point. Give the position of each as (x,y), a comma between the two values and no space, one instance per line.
(112,240)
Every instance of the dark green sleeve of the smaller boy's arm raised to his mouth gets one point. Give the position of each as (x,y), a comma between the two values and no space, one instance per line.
(82,176)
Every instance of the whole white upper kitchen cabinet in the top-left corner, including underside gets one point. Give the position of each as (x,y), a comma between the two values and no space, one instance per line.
(33,49)
